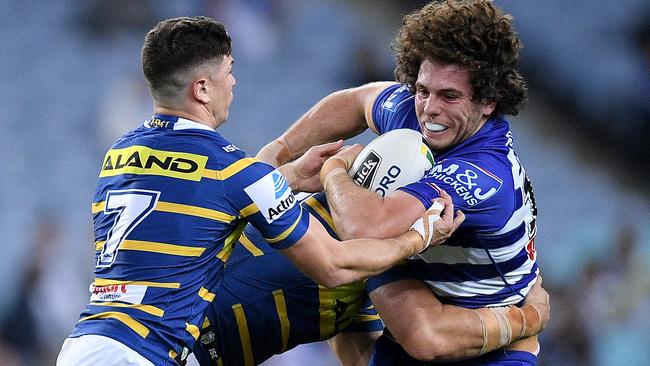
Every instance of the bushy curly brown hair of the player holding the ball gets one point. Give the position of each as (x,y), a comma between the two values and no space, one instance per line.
(472,33)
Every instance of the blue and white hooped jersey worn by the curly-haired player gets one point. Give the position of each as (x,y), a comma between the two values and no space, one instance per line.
(490,259)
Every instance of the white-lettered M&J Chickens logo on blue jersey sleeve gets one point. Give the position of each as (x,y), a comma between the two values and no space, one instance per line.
(468,181)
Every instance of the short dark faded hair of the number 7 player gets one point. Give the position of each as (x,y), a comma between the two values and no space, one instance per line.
(175,46)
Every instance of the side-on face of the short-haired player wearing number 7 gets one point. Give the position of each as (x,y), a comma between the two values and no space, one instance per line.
(221,96)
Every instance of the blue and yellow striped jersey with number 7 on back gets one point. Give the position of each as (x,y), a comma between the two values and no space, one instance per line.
(173,197)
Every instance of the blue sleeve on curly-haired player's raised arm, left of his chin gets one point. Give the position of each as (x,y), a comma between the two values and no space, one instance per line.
(393,109)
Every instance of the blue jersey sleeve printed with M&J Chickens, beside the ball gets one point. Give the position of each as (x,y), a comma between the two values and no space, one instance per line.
(474,187)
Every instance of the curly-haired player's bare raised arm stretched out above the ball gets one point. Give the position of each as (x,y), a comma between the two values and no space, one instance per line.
(340,115)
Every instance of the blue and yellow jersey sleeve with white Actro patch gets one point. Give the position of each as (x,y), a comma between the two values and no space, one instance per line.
(263,197)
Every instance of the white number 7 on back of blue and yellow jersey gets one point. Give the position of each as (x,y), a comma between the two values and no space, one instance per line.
(131,206)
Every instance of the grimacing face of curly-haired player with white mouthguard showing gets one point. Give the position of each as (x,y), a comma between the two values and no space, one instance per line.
(443,105)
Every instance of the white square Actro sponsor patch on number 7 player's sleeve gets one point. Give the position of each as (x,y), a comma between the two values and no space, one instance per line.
(272,195)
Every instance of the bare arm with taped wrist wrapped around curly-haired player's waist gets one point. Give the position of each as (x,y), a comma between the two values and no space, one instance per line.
(429,330)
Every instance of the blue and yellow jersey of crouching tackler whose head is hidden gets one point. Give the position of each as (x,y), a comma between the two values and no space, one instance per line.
(266,306)
